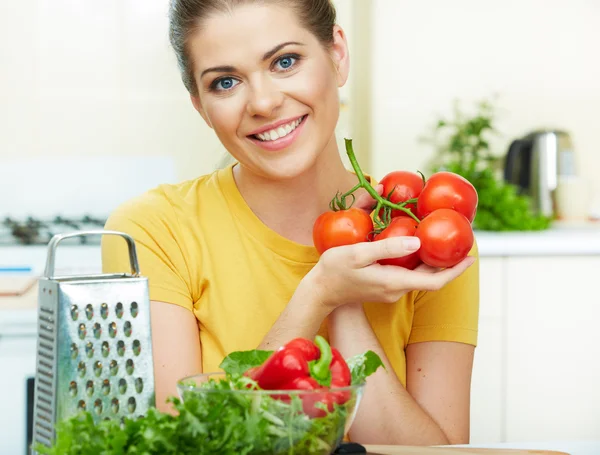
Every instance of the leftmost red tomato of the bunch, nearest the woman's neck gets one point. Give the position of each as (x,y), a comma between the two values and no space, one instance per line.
(343,227)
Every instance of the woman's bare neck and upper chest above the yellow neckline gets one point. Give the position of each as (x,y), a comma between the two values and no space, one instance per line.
(290,207)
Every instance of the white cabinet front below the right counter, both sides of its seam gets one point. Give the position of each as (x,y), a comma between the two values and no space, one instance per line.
(536,374)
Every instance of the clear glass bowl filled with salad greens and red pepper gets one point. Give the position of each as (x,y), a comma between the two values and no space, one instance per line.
(261,422)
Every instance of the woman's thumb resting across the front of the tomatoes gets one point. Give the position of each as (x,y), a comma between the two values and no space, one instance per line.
(366,253)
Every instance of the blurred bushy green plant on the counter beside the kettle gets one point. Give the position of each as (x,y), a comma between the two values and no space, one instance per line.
(462,146)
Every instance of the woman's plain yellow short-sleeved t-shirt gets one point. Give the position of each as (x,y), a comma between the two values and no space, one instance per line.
(201,247)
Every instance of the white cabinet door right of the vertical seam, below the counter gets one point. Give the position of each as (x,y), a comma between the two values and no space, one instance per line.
(553,348)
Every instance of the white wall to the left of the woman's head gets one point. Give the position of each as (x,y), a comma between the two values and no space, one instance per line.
(95,77)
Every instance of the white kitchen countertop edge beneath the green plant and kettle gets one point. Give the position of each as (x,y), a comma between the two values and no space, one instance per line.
(561,239)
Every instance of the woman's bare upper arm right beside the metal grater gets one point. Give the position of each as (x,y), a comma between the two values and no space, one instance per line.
(175,348)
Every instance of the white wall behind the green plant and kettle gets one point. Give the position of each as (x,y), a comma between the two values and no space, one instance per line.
(540,56)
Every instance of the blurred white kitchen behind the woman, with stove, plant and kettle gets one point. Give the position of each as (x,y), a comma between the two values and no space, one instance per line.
(93,111)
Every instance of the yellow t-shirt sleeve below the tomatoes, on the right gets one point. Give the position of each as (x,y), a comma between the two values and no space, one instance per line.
(452,313)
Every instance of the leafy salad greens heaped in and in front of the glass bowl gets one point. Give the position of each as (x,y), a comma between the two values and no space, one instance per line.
(213,419)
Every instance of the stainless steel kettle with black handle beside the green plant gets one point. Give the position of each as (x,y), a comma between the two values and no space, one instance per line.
(534,164)
